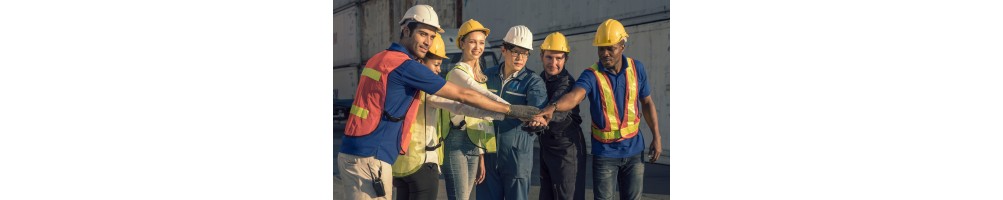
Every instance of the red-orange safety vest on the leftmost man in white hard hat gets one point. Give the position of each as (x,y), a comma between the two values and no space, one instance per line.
(368,108)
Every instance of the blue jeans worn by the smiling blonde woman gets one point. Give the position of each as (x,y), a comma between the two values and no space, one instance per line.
(461,165)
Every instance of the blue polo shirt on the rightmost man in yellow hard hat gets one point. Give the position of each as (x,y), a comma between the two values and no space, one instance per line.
(587,81)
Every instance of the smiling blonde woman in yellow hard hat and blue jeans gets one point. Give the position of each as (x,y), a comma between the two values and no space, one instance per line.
(468,138)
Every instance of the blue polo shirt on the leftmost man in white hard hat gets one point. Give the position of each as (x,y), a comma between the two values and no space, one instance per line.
(404,84)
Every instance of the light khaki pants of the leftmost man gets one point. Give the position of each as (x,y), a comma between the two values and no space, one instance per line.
(358,180)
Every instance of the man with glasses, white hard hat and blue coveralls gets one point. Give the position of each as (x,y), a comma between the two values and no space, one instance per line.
(510,169)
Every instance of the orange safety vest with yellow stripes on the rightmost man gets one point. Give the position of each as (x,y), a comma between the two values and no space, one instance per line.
(617,129)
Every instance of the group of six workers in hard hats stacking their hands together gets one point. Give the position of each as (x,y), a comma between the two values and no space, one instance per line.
(480,124)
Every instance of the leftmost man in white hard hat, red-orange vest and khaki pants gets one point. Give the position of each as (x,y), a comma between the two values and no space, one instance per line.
(387,103)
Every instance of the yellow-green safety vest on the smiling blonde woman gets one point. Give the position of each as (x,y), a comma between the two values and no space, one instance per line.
(481,132)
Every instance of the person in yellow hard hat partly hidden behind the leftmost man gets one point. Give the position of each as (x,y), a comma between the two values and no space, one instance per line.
(416,174)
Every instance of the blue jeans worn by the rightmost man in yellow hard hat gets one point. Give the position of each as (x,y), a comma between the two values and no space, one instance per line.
(627,173)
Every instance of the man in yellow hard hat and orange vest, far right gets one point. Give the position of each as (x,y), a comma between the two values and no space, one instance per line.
(617,88)
